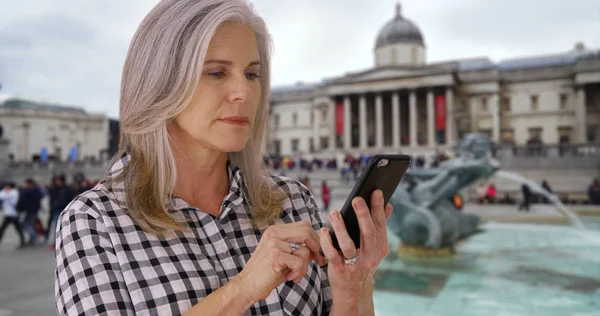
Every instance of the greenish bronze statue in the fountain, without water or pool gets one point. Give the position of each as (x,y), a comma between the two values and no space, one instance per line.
(424,214)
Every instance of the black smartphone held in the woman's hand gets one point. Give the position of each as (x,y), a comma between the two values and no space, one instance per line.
(383,172)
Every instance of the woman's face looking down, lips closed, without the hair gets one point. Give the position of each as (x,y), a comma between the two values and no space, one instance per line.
(222,112)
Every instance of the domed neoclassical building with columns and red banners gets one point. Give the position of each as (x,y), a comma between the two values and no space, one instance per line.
(405,103)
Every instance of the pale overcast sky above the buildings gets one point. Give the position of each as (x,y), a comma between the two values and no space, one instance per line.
(72,51)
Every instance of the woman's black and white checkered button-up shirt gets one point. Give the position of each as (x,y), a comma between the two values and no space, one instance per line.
(107,265)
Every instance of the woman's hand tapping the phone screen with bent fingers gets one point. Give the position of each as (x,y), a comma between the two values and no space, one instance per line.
(274,262)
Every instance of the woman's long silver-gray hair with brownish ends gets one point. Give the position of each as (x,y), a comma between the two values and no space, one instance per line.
(160,75)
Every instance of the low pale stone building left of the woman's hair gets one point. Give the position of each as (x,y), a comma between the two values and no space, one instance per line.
(62,132)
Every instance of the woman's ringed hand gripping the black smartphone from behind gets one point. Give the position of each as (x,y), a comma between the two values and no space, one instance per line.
(353,282)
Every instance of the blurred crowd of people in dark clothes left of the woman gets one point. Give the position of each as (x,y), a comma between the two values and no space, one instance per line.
(22,206)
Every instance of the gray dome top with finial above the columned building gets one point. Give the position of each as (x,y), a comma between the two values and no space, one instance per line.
(399,30)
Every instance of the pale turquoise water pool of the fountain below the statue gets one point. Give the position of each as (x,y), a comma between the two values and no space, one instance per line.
(510,269)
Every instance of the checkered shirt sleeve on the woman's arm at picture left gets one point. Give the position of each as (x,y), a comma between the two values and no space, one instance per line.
(88,278)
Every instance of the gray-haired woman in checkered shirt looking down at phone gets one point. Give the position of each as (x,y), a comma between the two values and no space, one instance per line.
(187,220)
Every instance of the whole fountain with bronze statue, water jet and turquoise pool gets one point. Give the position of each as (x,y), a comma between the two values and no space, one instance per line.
(511,269)
